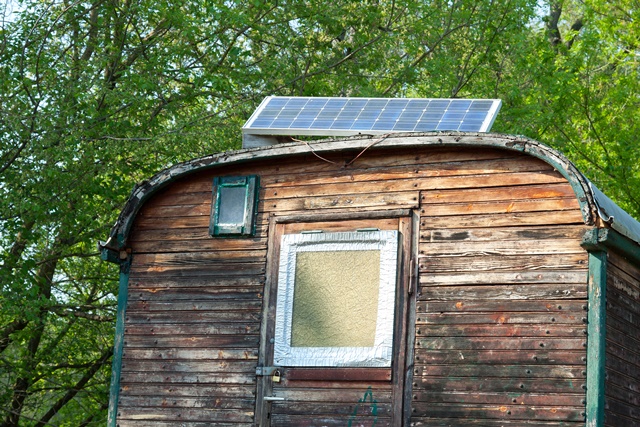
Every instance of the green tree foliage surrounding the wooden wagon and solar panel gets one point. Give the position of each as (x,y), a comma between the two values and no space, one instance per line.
(97,95)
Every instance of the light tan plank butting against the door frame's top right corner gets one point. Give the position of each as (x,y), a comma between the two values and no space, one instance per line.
(516,219)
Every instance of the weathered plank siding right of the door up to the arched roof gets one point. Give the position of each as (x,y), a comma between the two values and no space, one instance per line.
(500,336)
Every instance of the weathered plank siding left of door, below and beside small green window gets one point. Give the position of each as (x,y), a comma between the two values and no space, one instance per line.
(193,316)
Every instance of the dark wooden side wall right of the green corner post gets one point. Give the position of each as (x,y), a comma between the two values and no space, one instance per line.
(622,383)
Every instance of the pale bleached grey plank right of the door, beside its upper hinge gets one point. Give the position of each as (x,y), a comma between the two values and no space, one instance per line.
(553,278)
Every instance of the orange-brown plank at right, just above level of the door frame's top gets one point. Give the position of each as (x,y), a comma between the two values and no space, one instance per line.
(481,192)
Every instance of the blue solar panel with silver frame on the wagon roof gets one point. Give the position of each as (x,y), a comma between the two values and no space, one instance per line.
(294,115)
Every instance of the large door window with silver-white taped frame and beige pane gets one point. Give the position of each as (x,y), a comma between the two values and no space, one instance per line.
(336,299)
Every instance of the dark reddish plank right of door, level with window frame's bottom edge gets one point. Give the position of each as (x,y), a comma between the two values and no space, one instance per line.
(540,355)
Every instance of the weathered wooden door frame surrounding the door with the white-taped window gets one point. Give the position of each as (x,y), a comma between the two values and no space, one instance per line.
(404,319)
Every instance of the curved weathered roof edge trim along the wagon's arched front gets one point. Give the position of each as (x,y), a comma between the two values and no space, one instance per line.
(119,233)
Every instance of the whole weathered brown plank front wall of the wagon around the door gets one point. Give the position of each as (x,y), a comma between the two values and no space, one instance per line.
(500,314)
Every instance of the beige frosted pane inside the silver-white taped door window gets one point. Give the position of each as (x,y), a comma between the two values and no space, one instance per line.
(335,302)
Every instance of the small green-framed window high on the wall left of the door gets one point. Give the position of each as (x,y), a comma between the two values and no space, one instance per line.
(234,206)
